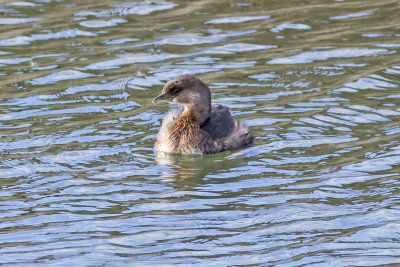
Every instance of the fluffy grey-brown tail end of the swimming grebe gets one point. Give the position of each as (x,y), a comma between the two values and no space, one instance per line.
(240,137)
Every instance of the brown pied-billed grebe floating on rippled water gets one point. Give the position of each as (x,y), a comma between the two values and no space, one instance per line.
(199,127)
